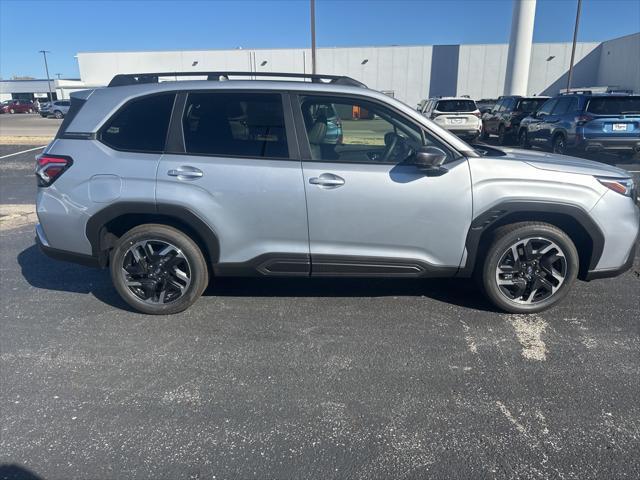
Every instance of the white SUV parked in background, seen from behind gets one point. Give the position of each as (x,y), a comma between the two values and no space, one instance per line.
(459,115)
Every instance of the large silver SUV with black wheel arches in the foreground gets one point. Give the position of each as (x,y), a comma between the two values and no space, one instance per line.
(172,183)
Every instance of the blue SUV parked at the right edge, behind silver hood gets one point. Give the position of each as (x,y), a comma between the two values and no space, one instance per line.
(585,122)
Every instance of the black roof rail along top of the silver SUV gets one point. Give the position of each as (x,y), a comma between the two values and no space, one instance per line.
(138,78)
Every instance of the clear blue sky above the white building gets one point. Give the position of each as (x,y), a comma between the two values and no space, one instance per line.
(69,26)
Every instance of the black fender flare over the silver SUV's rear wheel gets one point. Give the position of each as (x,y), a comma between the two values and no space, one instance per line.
(181,215)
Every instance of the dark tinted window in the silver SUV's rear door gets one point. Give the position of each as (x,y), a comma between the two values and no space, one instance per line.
(238,124)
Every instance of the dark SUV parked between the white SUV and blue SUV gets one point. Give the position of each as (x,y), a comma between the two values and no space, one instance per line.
(504,118)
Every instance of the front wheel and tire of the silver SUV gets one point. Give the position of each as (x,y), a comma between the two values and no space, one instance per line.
(522,290)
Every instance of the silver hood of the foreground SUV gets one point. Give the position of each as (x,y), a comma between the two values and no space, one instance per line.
(564,163)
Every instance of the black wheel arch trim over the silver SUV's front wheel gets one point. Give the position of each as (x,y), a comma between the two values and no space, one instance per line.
(573,220)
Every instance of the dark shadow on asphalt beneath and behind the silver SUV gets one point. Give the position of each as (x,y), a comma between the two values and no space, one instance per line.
(45,273)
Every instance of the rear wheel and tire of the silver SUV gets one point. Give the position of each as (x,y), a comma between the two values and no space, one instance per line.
(144,284)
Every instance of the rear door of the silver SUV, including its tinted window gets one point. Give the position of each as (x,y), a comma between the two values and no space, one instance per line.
(234,162)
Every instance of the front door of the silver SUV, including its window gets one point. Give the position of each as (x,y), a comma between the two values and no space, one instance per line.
(370,212)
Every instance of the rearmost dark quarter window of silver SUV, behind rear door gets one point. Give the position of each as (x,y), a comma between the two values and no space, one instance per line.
(141,125)
